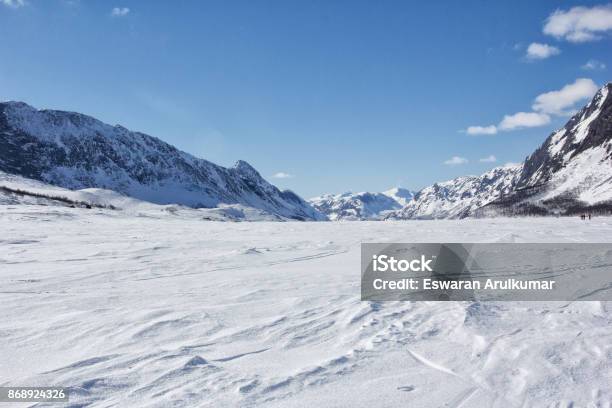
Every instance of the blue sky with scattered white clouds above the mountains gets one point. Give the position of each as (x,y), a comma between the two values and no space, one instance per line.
(335,95)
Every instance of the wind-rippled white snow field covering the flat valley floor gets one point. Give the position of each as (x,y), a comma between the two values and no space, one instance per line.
(135,310)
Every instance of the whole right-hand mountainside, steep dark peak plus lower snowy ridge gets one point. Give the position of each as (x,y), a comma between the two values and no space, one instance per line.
(570,172)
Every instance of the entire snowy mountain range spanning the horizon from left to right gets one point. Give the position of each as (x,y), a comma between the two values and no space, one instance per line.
(571,172)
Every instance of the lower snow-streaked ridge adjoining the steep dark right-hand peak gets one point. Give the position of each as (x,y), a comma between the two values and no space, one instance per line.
(460,197)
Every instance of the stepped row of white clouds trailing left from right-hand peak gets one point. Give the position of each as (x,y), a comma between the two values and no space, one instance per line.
(554,103)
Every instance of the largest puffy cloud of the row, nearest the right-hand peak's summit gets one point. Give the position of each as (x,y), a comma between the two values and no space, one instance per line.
(556,102)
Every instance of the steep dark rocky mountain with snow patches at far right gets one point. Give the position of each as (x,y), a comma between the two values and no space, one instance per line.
(571,171)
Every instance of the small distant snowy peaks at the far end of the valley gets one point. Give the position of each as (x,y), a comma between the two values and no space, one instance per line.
(357,206)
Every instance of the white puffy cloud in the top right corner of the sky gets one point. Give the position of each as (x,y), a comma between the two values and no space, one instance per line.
(580,24)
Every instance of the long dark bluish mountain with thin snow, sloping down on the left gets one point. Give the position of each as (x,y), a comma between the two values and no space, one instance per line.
(76,151)
